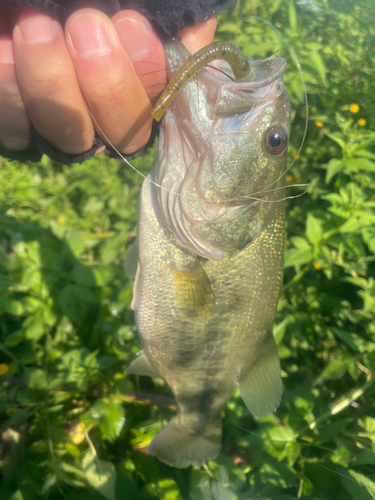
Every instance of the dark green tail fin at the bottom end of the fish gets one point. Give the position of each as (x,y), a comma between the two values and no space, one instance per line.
(180,447)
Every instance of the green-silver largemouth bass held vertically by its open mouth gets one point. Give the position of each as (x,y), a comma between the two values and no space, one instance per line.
(208,262)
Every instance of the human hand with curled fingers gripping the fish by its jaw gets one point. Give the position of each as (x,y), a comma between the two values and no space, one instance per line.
(47,76)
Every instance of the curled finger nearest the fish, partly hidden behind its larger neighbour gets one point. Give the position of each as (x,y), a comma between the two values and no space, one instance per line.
(144,49)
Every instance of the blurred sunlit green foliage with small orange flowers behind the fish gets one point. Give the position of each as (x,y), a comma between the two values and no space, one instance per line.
(73,425)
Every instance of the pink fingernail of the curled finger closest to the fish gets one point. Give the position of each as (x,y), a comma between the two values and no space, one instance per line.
(134,37)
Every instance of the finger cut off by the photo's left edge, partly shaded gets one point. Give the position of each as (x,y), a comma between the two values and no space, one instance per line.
(14,120)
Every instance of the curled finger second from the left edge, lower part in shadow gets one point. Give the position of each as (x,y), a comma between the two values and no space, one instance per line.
(48,84)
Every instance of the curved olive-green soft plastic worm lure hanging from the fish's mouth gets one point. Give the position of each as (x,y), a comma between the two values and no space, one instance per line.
(217,50)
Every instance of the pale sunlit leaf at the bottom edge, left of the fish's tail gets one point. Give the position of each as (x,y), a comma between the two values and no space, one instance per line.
(100,474)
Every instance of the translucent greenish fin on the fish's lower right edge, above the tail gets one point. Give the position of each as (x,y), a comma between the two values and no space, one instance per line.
(261,385)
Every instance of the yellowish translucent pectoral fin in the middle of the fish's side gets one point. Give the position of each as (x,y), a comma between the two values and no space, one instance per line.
(193,291)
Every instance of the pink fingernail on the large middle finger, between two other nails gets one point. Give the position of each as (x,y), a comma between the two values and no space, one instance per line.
(89,36)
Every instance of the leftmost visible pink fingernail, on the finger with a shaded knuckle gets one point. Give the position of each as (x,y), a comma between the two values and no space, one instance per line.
(38,28)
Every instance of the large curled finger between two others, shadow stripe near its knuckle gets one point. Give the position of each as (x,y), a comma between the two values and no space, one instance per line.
(108,80)
